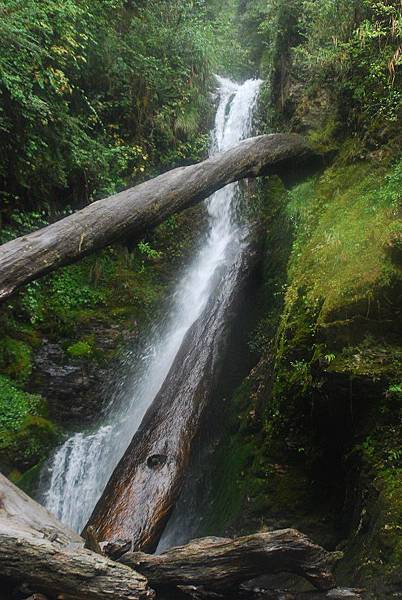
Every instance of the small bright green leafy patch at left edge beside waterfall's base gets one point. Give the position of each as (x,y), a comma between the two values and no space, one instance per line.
(16,405)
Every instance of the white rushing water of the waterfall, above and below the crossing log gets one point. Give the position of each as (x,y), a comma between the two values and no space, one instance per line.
(82,466)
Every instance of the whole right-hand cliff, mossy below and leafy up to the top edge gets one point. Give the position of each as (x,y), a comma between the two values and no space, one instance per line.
(314,440)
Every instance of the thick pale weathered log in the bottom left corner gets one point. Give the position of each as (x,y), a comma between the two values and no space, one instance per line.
(37,550)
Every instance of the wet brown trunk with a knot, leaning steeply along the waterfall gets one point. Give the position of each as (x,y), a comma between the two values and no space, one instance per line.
(145,485)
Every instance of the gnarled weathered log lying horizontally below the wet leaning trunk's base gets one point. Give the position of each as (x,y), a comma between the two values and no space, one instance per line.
(221,565)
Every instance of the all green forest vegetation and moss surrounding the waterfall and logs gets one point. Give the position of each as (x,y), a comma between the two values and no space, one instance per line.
(97,96)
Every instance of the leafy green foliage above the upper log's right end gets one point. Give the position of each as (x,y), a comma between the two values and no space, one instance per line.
(347,52)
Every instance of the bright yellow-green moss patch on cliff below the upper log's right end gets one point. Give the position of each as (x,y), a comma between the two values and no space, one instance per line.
(346,214)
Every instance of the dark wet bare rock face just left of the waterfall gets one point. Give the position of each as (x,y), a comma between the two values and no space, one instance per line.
(76,388)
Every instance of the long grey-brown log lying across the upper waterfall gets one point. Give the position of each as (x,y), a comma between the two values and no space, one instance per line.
(141,207)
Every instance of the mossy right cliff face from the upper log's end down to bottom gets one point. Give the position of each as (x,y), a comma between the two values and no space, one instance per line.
(315,439)
